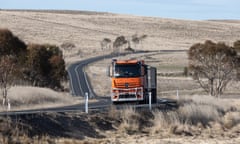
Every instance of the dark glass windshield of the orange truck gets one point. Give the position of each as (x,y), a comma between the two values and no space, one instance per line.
(131,70)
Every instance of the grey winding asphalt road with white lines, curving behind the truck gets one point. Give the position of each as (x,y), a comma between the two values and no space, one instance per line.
(80,84)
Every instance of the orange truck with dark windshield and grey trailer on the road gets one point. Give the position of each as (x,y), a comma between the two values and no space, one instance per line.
(132,81)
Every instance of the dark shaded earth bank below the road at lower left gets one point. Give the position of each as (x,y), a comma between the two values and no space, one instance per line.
(74,125)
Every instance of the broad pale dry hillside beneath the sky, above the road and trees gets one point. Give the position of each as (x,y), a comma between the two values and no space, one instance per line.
(86,29)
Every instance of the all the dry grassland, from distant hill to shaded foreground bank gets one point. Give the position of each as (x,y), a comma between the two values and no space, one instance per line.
(199,118)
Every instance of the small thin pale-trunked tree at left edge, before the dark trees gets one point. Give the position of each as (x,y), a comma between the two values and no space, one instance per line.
(6,75)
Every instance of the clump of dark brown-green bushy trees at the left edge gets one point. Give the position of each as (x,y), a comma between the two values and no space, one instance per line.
(40,64)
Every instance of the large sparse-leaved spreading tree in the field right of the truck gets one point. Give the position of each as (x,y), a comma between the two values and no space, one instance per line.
(212,65)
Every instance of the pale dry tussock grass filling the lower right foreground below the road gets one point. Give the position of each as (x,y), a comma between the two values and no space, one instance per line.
(198,117)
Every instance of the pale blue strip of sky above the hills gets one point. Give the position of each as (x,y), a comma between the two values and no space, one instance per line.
(177,9)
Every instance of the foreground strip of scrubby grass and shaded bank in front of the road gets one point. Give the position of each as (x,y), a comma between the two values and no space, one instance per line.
(196,117)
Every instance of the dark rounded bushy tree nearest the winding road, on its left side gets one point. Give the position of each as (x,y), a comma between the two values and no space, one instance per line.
(45,66)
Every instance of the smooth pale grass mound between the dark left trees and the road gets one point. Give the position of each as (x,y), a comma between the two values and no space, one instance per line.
(33,97)
